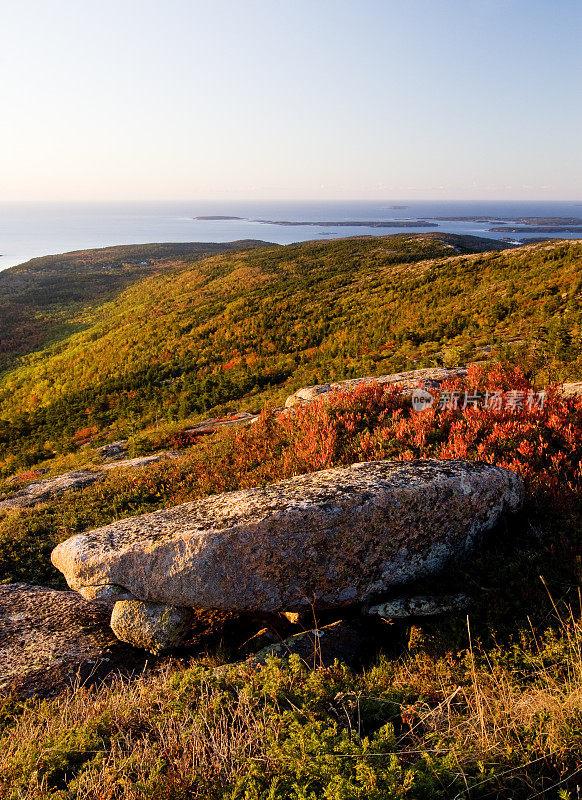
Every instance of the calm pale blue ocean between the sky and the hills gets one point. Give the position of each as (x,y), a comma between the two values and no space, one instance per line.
(30,230)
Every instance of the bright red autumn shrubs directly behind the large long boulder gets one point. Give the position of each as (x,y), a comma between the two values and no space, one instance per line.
(544,445)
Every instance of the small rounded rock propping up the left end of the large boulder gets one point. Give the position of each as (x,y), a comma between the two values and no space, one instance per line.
(150,626)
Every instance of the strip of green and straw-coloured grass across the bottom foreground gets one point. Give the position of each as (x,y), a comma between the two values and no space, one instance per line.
(470,723)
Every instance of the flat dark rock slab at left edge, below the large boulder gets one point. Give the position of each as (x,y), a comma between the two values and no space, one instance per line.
(50,640)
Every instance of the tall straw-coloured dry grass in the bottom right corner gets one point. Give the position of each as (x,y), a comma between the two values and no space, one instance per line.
(520,721)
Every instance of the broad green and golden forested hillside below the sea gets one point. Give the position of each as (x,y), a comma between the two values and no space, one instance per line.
(240,328)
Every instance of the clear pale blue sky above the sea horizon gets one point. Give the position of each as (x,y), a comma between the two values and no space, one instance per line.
(291,99)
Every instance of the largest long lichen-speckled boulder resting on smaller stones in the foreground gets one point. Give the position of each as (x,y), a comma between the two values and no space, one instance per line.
(333,538)
